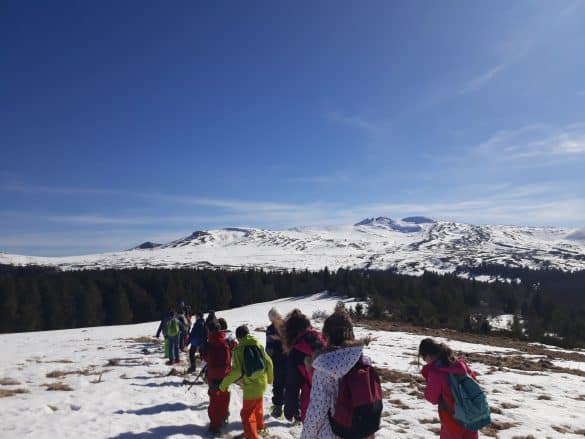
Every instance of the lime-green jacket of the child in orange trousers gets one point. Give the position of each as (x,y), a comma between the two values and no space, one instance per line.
(254,385)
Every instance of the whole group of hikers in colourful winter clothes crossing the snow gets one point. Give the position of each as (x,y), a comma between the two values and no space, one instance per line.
(321,379)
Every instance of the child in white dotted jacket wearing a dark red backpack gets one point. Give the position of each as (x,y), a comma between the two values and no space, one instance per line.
(346,396)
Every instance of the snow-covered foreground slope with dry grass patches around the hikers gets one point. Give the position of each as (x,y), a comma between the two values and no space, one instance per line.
(134,398)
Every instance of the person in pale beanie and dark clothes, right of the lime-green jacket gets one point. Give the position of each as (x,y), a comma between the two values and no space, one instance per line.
(278,357)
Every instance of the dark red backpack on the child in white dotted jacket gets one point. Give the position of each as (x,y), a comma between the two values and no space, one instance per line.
(358,407)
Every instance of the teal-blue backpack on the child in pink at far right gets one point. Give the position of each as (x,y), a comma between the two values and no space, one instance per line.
(471,407)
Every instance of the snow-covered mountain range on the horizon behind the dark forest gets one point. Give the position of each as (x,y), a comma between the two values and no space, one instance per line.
(411,245)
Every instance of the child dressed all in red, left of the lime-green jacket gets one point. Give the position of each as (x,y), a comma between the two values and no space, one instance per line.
(217,355)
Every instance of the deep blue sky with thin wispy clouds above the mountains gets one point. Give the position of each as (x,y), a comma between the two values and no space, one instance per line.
(130,121)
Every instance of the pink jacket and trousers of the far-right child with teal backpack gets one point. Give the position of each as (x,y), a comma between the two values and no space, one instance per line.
(439,392)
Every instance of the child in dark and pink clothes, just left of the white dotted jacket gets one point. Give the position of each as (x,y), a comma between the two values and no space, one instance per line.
(300,342)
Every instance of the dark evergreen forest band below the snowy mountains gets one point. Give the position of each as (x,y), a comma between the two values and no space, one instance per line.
(550,303)
